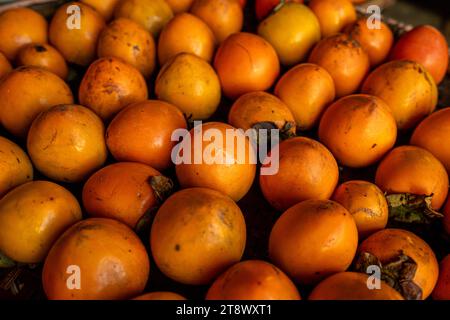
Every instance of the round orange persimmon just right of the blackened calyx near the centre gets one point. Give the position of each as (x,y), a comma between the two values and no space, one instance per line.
(363,122)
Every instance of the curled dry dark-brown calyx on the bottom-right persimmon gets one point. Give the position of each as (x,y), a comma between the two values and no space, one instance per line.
(398,273)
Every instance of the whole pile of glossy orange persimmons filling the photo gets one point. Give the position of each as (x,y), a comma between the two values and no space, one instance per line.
(91,197)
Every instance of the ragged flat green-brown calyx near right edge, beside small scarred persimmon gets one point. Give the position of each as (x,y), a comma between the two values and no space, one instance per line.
(411,209)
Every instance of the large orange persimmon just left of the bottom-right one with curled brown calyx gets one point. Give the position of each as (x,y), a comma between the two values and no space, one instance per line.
(313,240)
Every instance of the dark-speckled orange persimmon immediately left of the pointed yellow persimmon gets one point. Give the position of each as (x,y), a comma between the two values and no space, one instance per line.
(109,85)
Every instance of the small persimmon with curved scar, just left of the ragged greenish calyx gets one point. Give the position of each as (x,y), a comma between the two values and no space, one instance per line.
(367,203)
